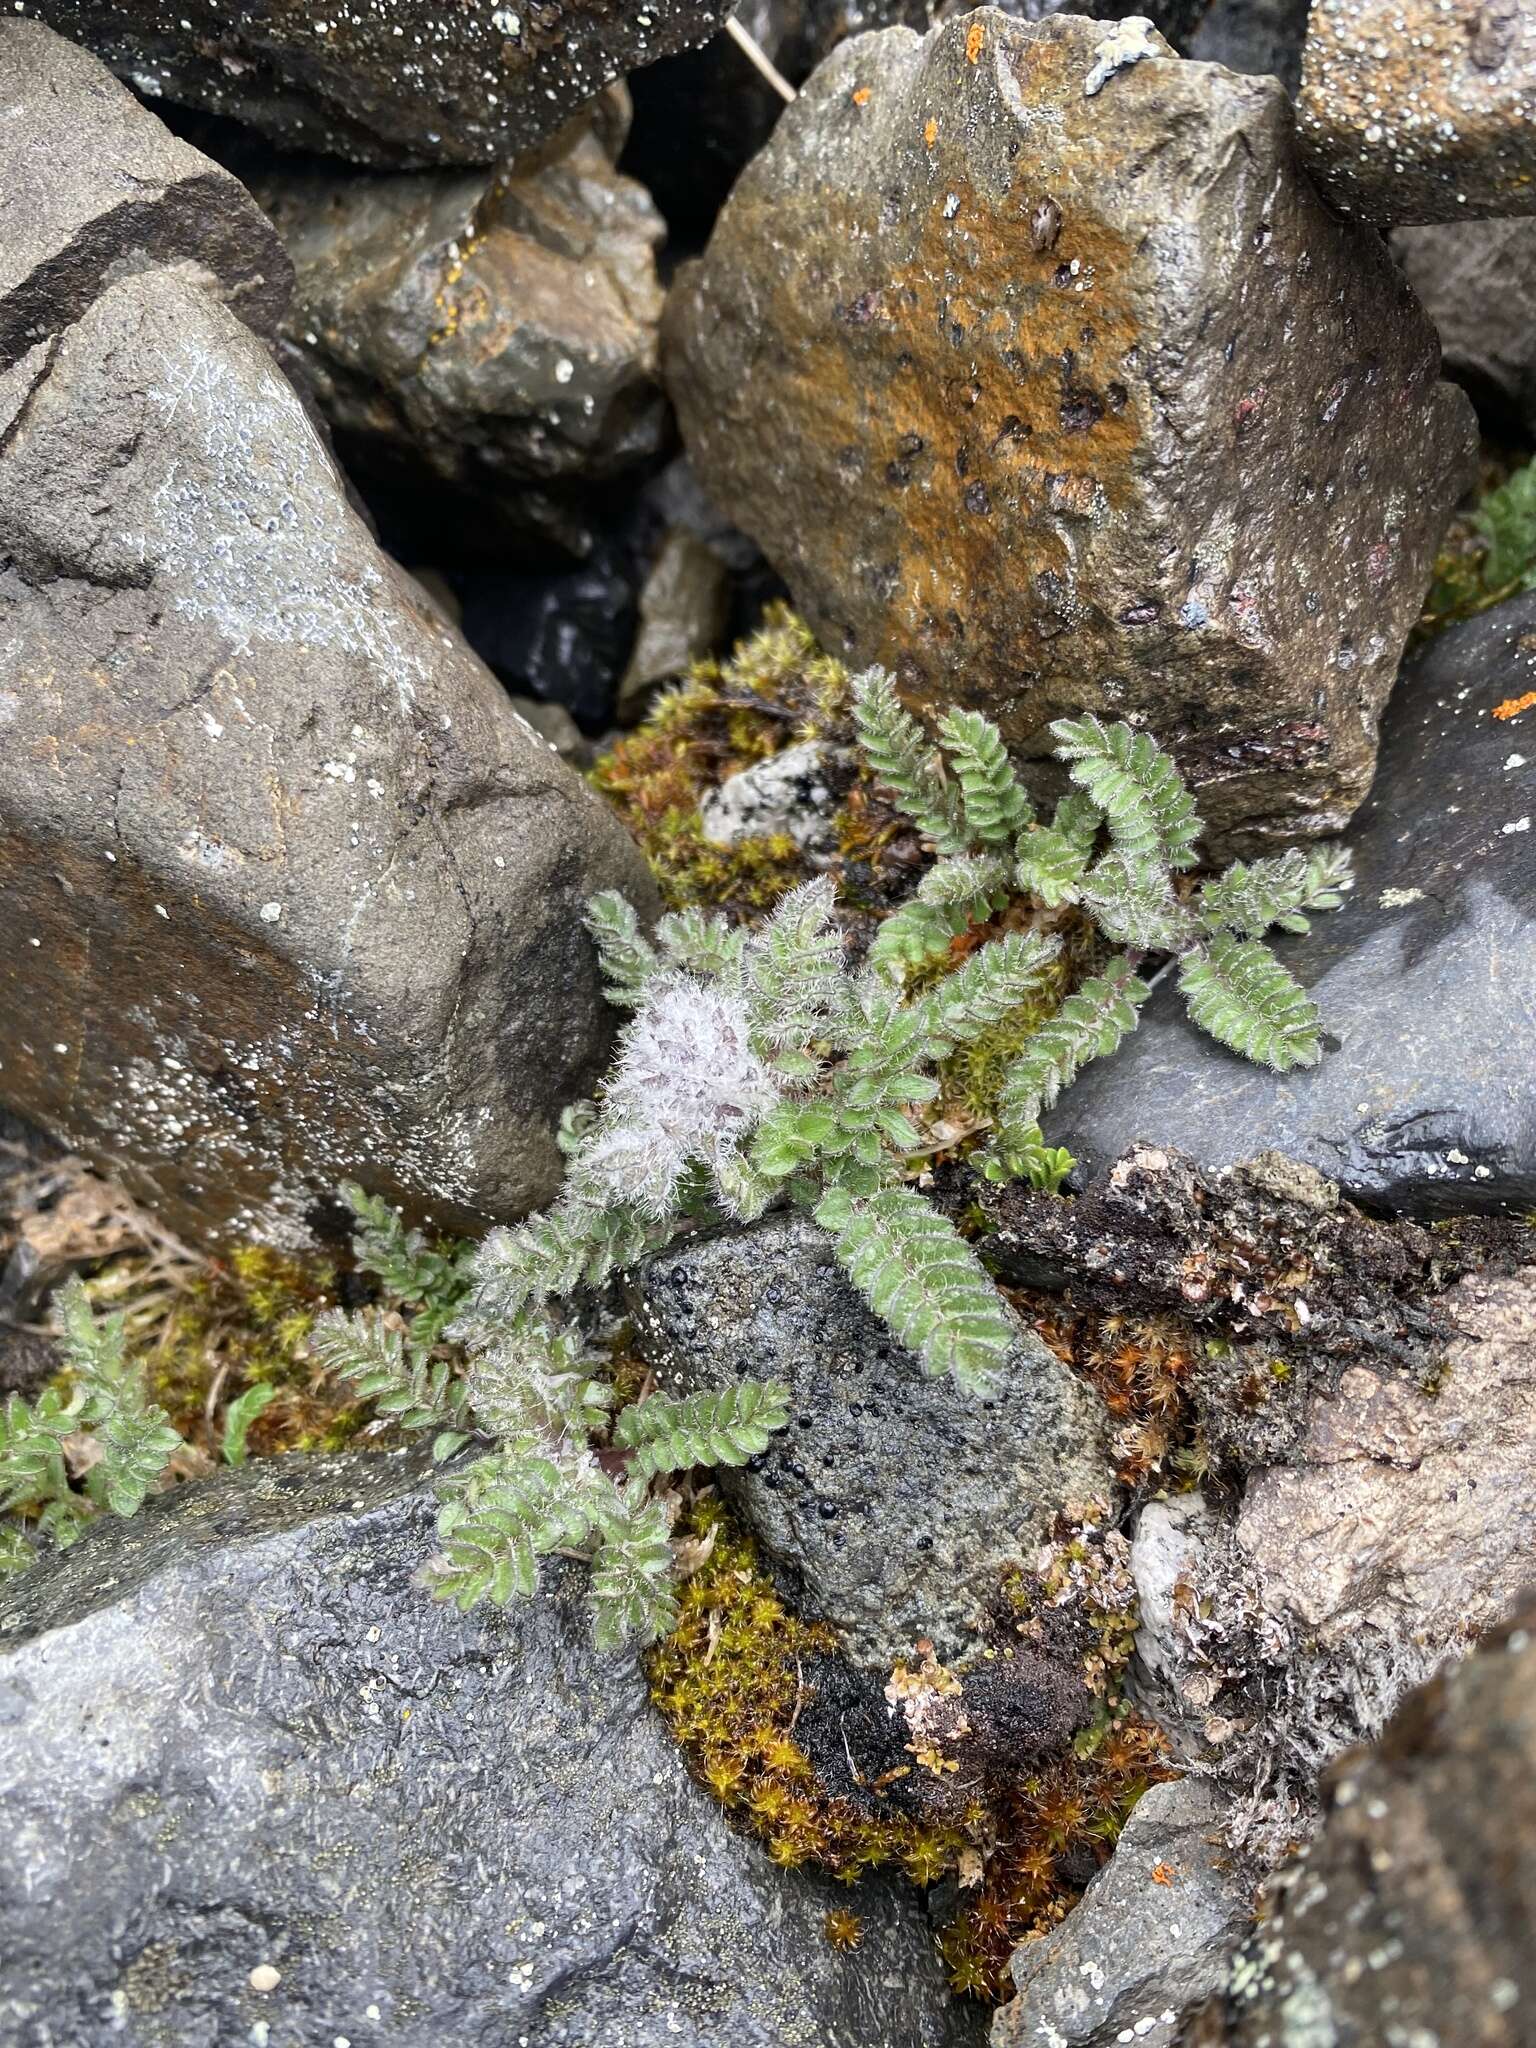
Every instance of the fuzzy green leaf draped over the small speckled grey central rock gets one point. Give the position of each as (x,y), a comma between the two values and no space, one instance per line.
(923,1279)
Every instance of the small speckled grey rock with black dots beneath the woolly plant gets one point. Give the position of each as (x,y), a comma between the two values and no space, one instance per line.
(892,1504)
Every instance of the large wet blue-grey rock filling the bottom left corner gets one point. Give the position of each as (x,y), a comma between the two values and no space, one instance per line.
(259,1783)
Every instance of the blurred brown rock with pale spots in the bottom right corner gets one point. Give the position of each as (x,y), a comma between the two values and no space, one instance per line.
(1410,1916)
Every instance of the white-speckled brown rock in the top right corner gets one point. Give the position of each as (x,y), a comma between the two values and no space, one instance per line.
(1416,112)
